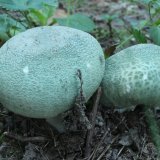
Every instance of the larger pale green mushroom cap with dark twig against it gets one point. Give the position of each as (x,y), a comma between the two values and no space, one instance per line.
(38,70)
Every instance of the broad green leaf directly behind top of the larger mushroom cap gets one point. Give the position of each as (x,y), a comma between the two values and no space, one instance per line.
(78,21)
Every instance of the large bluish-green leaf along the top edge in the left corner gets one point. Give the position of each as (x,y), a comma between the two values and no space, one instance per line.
(23,5)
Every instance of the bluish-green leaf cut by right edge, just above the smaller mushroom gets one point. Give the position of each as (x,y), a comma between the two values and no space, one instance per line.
(155,34)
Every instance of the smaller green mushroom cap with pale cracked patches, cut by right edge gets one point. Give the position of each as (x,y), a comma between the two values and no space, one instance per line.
(132,77)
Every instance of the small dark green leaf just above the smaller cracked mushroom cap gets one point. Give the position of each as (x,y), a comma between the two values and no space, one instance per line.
(139,36)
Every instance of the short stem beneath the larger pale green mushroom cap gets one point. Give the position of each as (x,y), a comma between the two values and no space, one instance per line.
(57,123)
